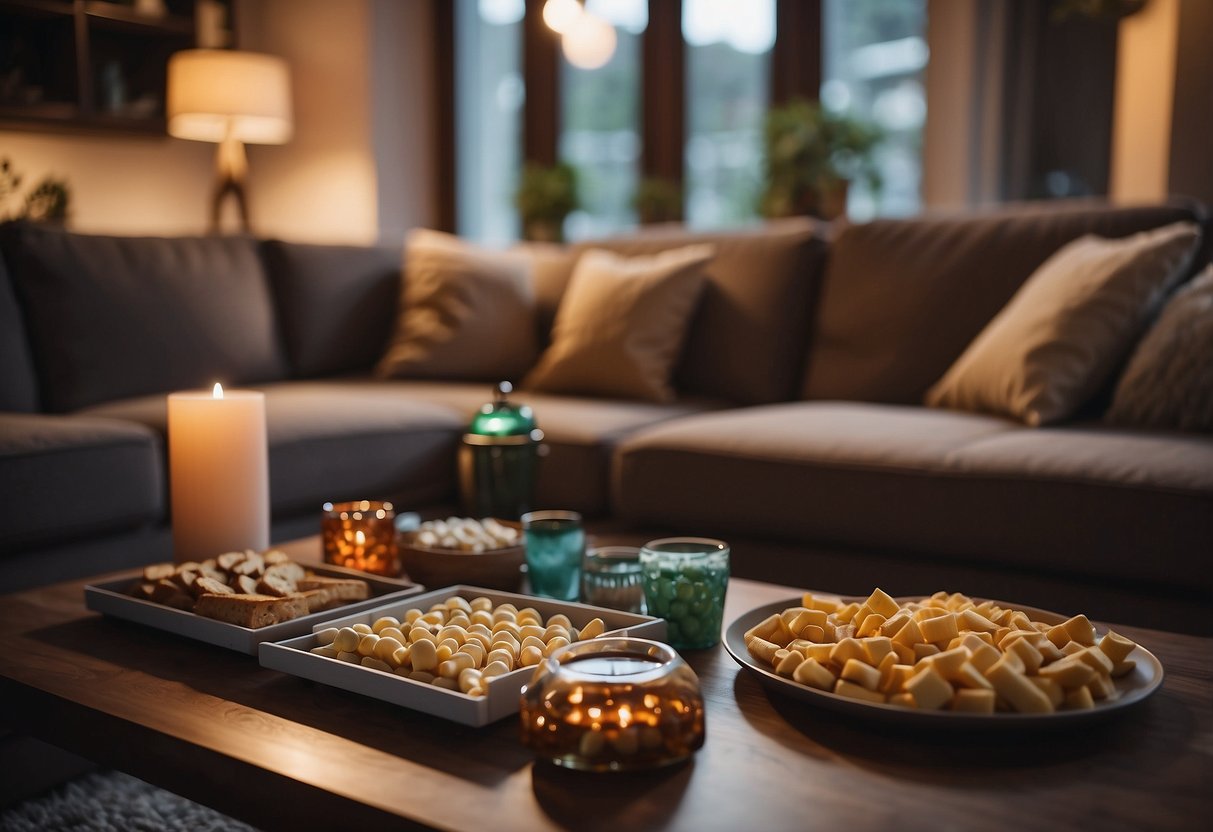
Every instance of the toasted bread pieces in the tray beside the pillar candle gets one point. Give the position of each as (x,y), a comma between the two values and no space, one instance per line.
(247,589)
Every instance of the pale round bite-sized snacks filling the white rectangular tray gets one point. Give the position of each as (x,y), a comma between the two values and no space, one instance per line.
(458,645)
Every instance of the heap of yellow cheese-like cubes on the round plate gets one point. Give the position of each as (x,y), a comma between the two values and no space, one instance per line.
(943,653)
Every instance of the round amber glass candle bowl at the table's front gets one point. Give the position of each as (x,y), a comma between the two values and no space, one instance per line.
(613,705)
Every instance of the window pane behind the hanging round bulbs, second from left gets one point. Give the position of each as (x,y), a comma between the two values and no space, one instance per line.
(601,115)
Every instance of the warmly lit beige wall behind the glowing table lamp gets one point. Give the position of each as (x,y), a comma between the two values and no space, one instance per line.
(321,187)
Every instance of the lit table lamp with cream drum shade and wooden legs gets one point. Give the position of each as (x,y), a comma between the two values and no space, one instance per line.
(230,98)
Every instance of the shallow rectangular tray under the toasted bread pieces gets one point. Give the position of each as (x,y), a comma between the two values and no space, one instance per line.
(111,599)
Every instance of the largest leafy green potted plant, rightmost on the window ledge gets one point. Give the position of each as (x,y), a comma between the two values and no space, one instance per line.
(812,157)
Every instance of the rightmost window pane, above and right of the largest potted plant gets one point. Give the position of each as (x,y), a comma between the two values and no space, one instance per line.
(875,53)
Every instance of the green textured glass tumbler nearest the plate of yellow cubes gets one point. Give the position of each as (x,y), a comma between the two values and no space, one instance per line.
(685,583)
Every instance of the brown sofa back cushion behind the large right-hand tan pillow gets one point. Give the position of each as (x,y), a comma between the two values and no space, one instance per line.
(903,299)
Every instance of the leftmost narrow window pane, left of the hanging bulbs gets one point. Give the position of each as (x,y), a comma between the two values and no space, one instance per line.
(489,100)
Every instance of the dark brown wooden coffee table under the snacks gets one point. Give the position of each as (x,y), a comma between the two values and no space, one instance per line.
(278,751)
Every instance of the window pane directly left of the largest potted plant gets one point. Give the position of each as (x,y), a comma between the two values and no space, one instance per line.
(728,88)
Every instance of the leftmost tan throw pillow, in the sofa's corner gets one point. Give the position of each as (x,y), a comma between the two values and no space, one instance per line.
(466,314)
